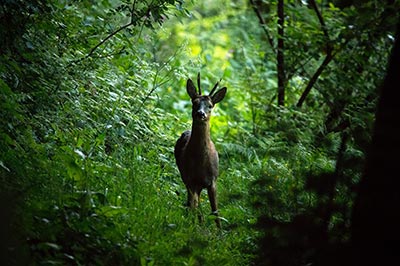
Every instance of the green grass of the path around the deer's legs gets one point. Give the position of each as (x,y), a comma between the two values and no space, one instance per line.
(168,233)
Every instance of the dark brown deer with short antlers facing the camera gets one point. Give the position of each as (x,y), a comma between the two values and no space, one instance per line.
(195,153)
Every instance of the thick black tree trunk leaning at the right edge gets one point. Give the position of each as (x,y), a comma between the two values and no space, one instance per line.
(375,221)
